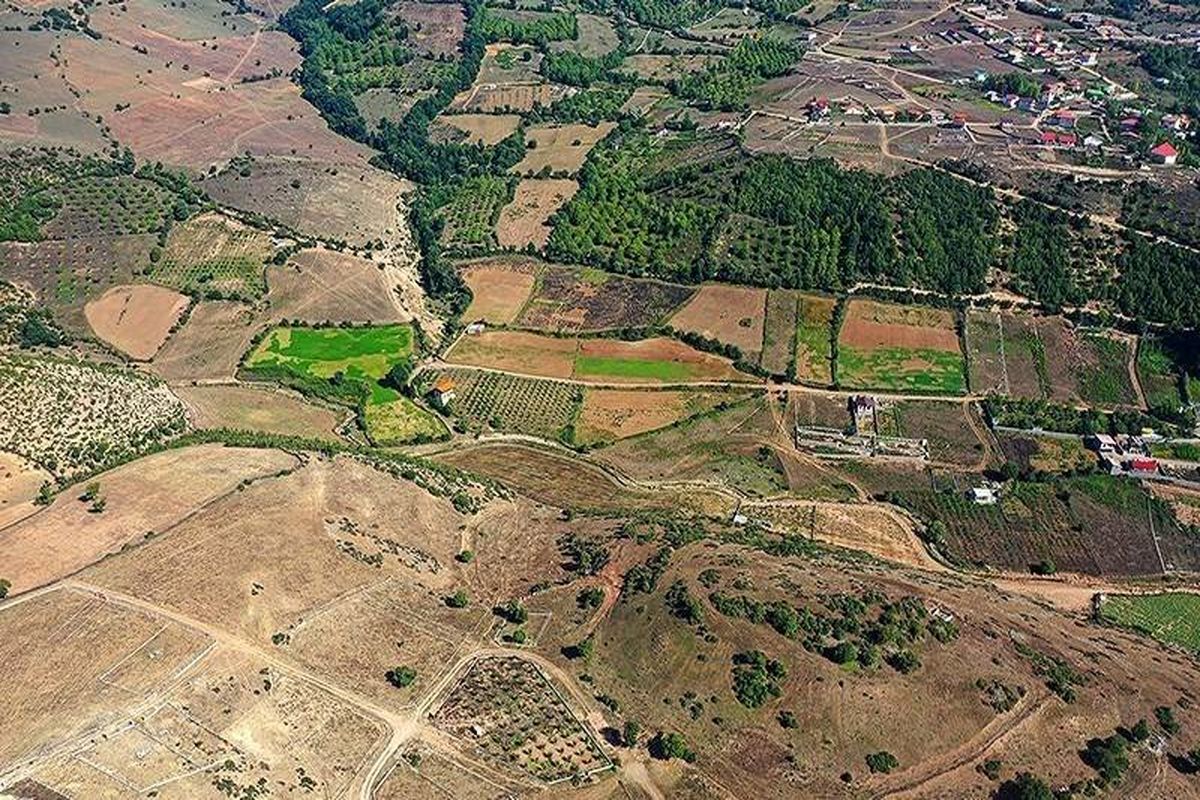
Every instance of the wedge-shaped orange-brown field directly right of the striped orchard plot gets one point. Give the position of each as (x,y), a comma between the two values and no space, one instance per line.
(613,414)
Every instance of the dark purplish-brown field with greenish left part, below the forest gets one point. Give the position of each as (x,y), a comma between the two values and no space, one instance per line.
(593,300)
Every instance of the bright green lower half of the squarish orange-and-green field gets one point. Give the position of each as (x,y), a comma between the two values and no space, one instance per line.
(902,370)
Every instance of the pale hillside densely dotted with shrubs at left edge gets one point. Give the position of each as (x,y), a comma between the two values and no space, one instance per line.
(70,417)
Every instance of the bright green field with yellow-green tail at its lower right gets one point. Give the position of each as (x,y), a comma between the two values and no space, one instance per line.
(346,364)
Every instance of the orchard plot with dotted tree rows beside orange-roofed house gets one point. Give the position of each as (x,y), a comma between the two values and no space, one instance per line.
(491,400)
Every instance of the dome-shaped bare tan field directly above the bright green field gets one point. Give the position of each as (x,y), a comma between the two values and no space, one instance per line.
(326,286)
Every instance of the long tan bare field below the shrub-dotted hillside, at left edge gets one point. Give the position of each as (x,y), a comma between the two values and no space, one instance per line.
(143,498)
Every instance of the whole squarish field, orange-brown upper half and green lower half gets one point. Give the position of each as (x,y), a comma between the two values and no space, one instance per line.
(899,348)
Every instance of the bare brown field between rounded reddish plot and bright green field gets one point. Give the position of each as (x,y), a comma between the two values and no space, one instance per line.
(211,345)
